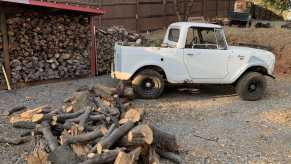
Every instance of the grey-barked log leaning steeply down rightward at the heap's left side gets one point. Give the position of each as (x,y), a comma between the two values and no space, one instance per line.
(49,137)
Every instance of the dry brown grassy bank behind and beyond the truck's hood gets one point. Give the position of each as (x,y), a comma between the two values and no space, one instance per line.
(277,38)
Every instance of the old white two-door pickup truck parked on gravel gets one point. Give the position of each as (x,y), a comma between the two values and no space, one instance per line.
(195,53)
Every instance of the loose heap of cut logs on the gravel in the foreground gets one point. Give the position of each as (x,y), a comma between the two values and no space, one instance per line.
(93,128)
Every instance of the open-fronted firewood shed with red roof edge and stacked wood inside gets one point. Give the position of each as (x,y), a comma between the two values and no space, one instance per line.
(45,40)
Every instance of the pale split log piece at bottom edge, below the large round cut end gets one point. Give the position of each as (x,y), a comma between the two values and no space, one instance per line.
(125,158)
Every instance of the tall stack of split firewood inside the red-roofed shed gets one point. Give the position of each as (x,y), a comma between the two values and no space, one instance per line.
(44,46)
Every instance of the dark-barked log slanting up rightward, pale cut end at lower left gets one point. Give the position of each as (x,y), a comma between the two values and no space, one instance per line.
(108,141)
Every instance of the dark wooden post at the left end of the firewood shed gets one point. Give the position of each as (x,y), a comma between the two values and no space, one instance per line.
(5,44)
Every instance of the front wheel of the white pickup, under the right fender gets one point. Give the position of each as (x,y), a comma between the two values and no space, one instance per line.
(251,86)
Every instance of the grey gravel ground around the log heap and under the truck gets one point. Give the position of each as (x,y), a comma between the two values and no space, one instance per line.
(212,124)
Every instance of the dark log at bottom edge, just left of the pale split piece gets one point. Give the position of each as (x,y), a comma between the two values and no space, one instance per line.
(106,157)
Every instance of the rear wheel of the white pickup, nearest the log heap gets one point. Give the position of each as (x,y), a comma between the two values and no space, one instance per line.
(148,84)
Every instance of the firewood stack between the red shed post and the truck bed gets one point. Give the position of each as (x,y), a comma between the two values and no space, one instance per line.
(105,41)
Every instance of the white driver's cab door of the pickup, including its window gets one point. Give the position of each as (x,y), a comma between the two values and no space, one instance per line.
(205,54)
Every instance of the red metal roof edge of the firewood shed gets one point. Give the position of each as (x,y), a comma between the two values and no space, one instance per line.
(95,11)
